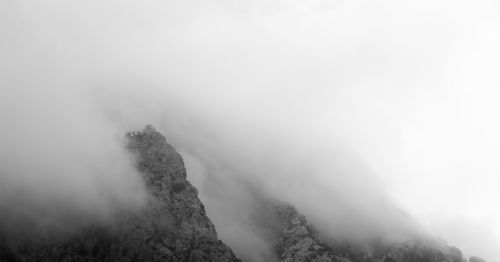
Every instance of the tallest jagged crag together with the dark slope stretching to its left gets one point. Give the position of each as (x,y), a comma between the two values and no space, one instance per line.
(173,226)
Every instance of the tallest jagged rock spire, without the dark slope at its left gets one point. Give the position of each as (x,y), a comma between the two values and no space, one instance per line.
(175,203)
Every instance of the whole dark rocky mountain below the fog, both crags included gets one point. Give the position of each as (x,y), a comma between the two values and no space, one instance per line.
(173,226)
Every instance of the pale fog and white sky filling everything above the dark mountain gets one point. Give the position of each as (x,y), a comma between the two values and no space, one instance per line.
(325,104)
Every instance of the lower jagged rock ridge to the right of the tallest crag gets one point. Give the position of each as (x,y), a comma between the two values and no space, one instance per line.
(298,241)
